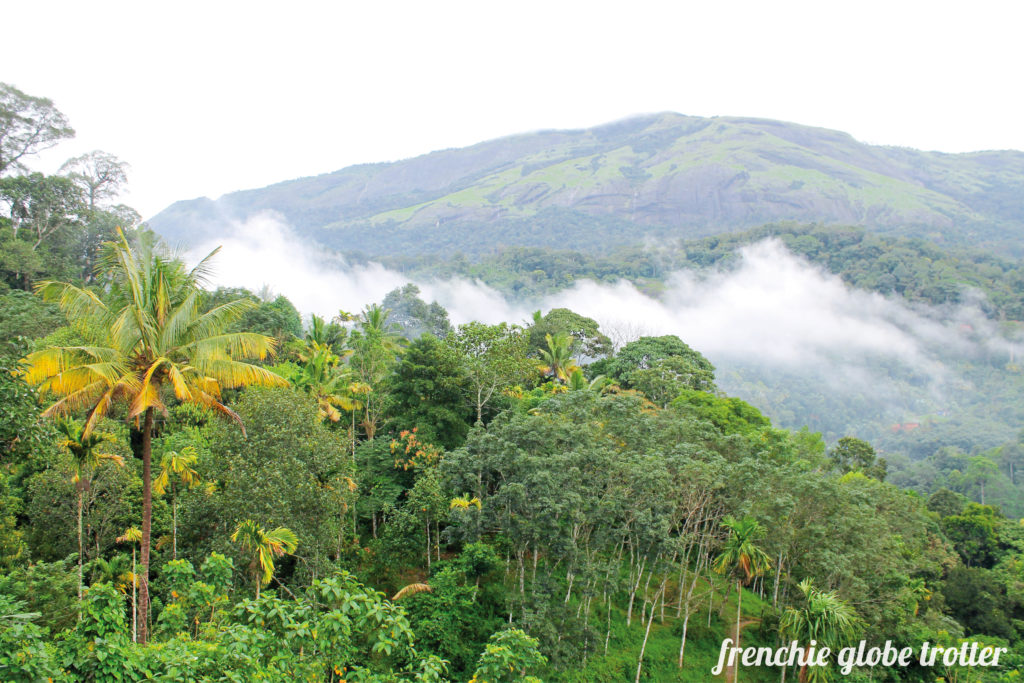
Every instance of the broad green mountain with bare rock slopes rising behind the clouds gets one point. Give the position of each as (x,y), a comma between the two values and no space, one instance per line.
(614,185)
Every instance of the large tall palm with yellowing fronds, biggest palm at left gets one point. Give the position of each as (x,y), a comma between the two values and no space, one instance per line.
(148,335)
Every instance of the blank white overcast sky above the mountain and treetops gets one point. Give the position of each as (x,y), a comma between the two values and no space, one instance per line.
(206,98)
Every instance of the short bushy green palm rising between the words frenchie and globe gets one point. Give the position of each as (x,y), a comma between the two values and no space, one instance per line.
(824,618)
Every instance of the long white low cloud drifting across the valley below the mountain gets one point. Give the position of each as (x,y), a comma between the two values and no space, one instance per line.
(773,310)
